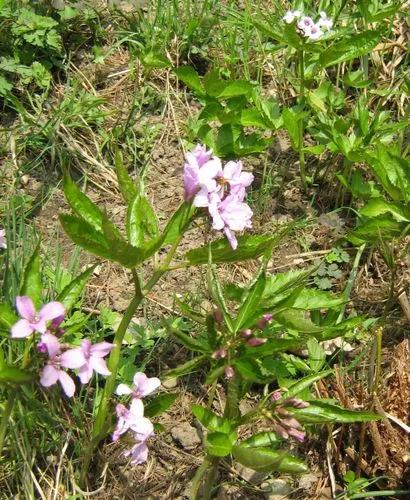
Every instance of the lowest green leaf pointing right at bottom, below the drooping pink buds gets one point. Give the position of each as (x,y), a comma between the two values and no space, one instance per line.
(268,460)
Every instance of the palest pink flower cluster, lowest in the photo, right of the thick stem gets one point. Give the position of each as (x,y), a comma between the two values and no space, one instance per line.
(133,419)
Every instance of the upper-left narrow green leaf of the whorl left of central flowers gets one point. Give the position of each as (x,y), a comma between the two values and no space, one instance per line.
(81,204)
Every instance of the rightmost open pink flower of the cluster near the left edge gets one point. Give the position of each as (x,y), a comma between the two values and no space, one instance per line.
(88,358)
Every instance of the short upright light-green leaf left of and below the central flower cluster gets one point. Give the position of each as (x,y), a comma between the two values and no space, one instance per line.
(141,221)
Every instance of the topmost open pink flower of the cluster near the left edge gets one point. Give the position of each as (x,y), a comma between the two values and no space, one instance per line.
(33,322)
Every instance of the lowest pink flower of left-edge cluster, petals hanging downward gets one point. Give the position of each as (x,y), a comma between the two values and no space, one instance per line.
(52,372)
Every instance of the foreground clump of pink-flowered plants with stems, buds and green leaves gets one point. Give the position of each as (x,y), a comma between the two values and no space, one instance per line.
(237,346)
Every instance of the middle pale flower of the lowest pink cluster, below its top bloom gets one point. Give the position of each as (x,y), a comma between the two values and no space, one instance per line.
(134,420)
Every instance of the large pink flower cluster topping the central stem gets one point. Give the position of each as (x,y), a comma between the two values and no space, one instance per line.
(220,189)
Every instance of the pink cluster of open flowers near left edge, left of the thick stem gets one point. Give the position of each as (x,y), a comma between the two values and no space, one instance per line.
(86,359)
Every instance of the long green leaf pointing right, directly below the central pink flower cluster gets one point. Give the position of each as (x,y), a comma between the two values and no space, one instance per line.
(249,247)
